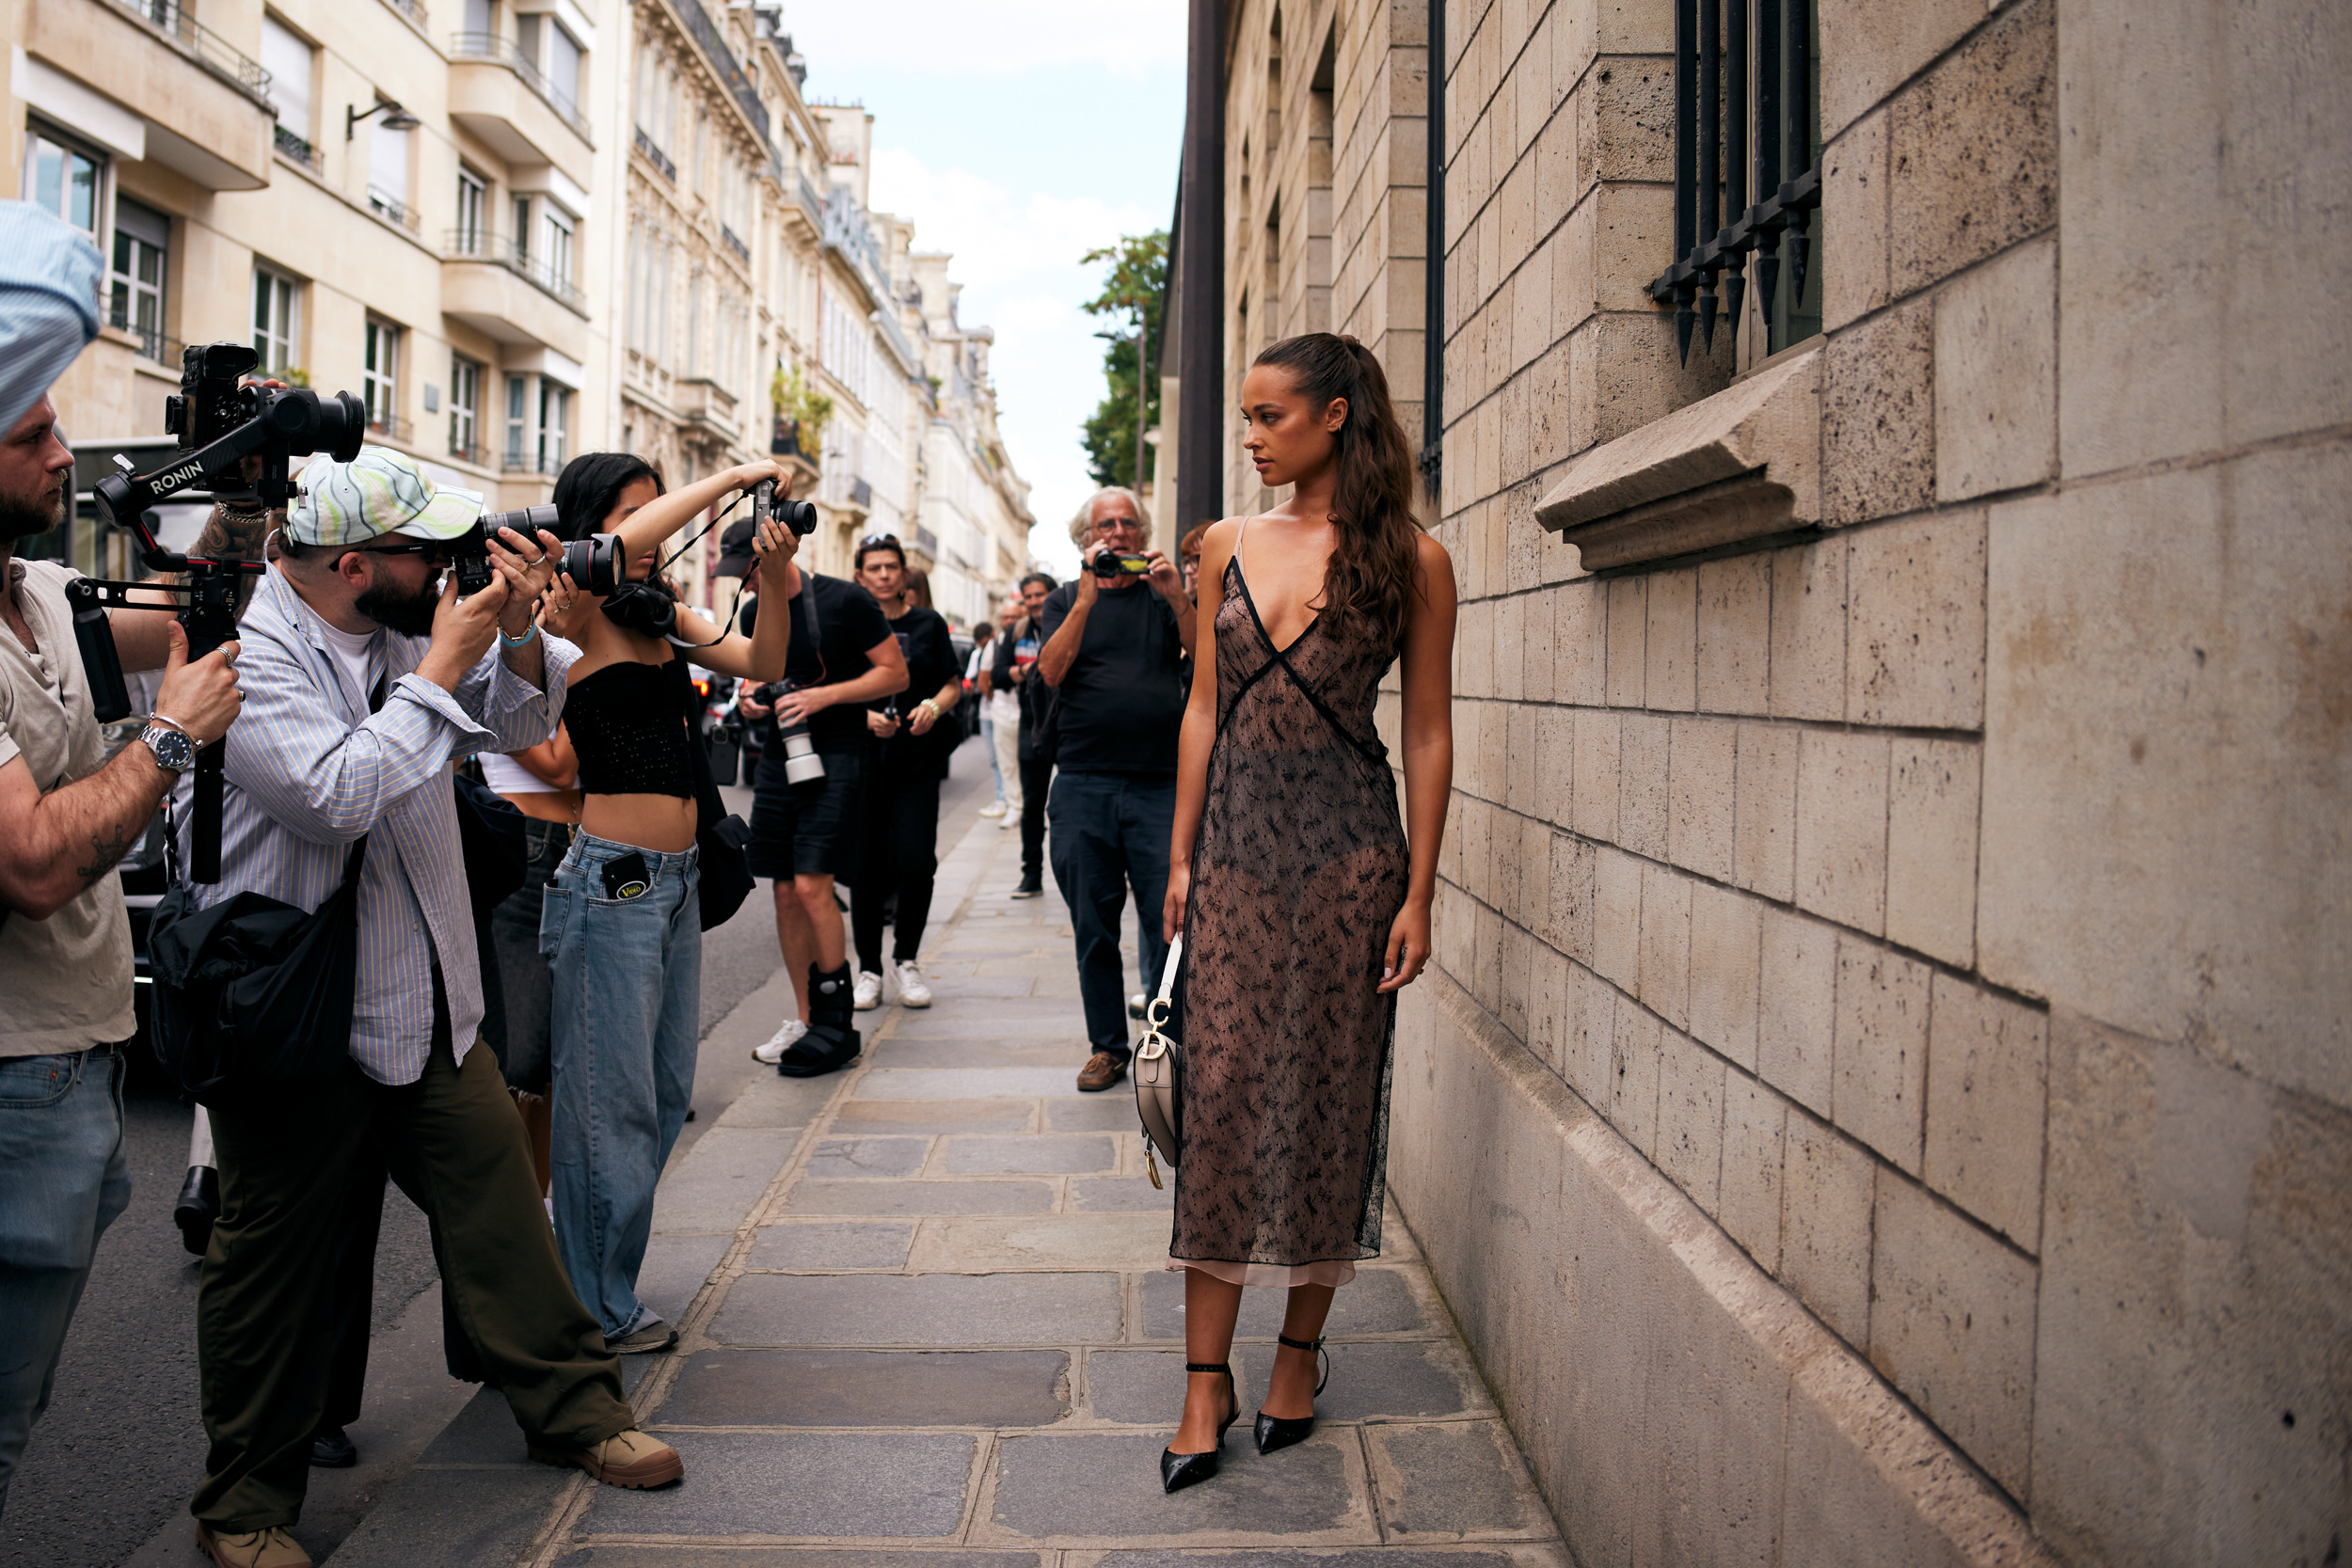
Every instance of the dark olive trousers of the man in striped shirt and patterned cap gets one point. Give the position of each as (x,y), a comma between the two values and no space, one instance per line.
(265,1320)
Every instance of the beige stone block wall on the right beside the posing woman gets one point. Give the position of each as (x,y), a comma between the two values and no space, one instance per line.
(1885,1094)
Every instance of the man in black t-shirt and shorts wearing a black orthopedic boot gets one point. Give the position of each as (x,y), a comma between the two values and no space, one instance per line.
(808,836)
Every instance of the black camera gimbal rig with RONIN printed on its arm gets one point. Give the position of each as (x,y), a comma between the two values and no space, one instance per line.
(220,424)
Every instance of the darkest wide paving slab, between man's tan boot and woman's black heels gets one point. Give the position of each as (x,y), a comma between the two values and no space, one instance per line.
(871,1388)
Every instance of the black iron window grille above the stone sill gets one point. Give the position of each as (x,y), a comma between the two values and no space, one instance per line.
(1746,166)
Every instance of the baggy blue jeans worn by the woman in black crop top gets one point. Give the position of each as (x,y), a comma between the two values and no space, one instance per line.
(627,1012)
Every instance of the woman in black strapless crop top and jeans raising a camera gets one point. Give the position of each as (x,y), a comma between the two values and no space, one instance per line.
(622,918)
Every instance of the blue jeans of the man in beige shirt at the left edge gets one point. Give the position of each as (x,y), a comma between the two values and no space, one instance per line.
(62,1184)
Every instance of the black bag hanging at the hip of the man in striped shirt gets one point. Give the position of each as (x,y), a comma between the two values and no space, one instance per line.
(255,991)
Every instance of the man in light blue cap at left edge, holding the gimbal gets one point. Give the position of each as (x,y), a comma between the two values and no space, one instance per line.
(67,815)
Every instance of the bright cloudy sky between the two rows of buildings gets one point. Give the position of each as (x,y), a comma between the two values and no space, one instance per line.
(1017,135)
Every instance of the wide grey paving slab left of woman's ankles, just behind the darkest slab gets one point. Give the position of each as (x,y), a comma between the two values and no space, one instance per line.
(921,1311)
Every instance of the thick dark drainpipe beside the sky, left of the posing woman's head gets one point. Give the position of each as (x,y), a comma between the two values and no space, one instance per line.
(1201,243)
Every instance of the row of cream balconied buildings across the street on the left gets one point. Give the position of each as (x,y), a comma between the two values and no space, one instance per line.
(521,232)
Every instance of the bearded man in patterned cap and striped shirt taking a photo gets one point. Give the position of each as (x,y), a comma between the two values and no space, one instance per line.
(366,681)
